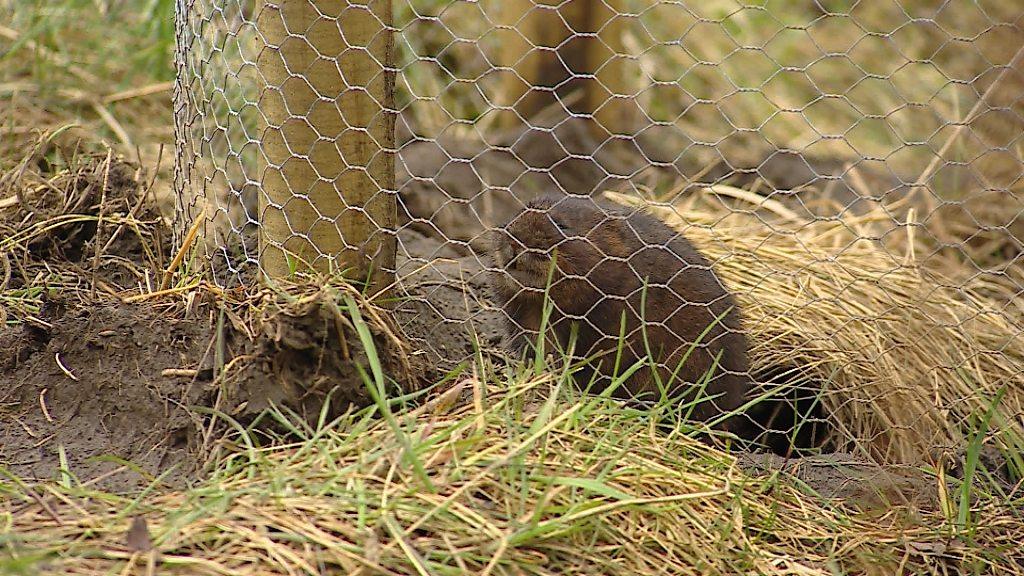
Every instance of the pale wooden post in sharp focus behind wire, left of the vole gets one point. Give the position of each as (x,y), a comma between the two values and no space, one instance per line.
(327,200)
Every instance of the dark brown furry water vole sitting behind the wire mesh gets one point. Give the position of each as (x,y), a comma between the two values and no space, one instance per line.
(605,262)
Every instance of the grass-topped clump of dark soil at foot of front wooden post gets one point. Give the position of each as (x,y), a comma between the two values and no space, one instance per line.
(301,351)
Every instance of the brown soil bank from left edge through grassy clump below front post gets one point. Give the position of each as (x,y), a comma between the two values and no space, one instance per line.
(113,383)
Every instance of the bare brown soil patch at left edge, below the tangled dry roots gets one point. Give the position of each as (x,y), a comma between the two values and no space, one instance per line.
(90,390)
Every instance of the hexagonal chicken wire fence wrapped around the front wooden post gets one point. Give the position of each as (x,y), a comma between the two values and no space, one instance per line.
(851,170)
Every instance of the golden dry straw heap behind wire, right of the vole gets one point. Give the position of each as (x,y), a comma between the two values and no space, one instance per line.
(907,364)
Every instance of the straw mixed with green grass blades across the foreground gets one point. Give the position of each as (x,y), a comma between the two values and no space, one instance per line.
(523,482)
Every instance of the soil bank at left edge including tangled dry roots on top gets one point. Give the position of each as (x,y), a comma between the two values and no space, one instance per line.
(82,375)
